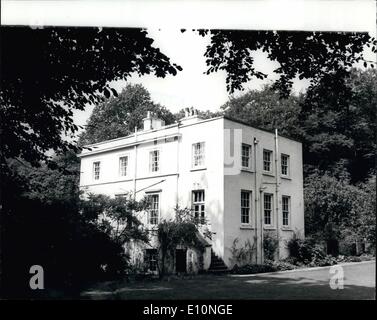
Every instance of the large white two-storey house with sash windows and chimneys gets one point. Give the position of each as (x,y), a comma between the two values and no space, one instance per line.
(245,182)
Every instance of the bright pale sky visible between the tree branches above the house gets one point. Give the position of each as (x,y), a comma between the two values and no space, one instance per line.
(191,87)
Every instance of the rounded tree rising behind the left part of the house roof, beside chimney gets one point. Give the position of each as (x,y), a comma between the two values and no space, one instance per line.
(118,116)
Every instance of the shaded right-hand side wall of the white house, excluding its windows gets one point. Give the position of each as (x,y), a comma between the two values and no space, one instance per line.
(245,180)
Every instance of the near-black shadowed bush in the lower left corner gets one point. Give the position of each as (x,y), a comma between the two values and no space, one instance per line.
(70,247)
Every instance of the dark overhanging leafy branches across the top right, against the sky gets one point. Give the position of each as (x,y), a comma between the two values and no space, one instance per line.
(310,55)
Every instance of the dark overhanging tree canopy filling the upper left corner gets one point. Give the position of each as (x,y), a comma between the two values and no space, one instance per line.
(47,73)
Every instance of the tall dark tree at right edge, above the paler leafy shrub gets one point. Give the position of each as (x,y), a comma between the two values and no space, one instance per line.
(341,126)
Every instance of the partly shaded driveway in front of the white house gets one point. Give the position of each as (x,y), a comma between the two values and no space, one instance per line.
(359,283)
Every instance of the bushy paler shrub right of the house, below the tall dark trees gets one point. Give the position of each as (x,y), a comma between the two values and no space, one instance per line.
(334,208)
